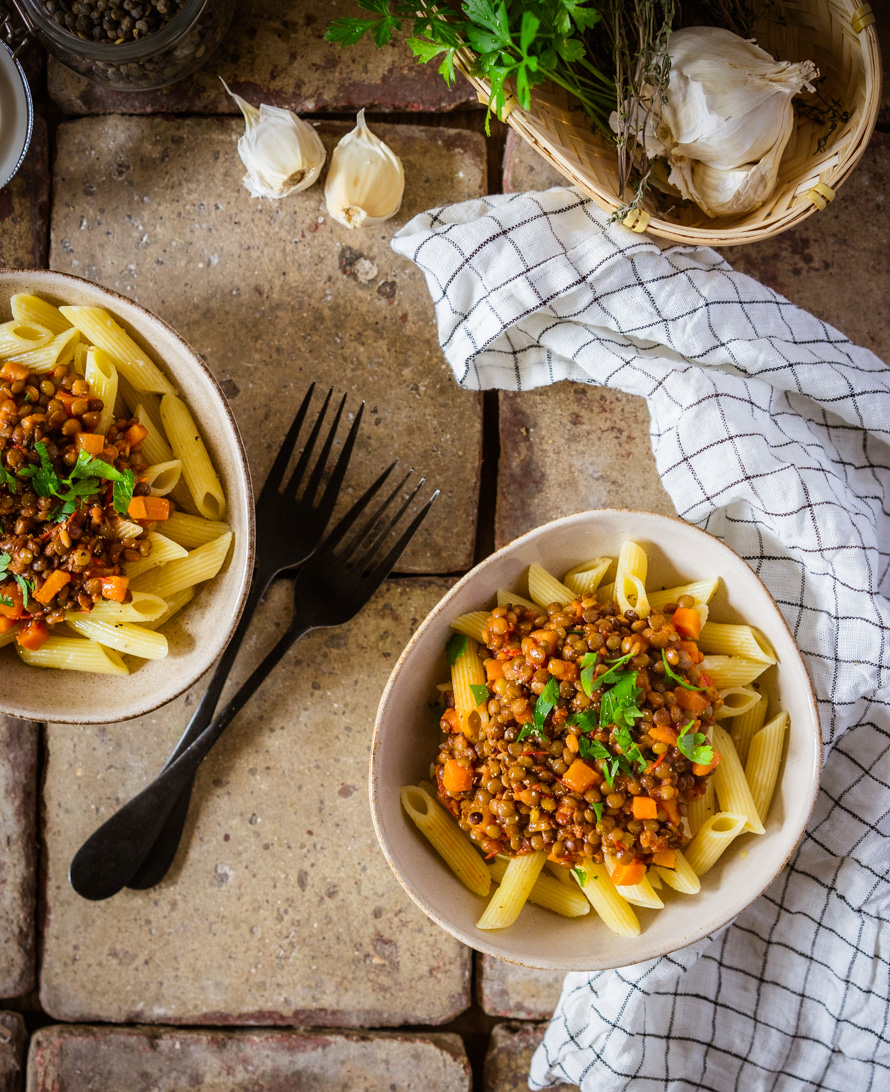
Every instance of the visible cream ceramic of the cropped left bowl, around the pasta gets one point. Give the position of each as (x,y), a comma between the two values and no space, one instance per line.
(198,635)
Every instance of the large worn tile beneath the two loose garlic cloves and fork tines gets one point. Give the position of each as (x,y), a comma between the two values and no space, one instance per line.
(277,294)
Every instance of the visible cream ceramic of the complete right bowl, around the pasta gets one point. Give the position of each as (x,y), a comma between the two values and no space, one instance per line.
(406,742)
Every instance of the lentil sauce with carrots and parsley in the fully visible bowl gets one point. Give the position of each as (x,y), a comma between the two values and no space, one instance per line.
(592,740)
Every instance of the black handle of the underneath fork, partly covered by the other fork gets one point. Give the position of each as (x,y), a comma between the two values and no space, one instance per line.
(162,854)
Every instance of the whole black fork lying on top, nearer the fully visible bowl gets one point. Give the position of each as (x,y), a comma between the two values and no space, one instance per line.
(330,589)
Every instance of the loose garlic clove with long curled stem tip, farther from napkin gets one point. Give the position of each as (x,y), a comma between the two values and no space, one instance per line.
(283,155)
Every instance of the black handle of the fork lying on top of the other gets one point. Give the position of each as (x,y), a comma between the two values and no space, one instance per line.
(109,859)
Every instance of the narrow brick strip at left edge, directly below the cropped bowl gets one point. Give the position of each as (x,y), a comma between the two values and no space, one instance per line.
(18,854)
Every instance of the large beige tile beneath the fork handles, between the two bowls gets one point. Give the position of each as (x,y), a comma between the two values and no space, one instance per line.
(282,911)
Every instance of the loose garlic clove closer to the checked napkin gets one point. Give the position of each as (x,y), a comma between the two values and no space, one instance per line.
(366,181)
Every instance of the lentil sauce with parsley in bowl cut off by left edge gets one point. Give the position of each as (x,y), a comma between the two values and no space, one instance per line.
(67,493)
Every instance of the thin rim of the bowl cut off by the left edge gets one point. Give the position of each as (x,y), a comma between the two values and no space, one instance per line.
(241,465)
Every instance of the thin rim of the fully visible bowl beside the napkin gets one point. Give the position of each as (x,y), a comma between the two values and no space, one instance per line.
(482,944)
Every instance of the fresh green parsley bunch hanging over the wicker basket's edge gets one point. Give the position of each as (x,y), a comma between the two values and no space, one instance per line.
(524,42)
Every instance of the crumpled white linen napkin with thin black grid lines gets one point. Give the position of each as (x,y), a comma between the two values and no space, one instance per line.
(770,431)
